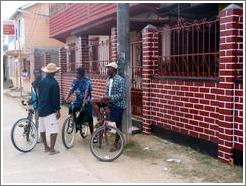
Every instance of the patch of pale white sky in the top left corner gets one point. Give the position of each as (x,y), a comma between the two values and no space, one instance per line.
(8,8)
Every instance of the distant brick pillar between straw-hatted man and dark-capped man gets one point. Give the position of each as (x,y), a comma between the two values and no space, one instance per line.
(63,65)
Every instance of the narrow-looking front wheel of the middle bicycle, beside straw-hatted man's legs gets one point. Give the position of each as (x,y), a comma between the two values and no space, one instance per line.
(68,132)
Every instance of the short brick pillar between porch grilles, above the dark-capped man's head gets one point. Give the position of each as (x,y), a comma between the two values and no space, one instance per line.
(85,53)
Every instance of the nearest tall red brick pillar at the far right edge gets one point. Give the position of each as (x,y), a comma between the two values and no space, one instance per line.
(229,45)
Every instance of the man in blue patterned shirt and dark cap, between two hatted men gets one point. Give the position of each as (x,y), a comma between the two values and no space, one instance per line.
(81,86)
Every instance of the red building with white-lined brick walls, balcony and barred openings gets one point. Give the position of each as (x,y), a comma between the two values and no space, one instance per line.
(186,61)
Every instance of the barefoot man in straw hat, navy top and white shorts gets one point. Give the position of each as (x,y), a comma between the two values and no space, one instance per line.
(49,106)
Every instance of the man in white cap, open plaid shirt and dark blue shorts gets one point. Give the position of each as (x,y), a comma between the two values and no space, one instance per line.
(115,98)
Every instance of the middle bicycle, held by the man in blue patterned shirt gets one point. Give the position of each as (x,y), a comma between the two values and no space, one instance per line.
(71,126)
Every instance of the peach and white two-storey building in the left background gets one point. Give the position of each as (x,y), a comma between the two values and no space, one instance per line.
(32,37)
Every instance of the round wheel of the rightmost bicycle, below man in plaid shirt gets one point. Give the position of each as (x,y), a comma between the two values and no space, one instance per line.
(105,139)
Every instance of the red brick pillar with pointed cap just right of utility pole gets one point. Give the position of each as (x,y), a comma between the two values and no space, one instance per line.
(150,59)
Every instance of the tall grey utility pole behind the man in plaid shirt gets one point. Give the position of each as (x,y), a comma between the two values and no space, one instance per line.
(123,51)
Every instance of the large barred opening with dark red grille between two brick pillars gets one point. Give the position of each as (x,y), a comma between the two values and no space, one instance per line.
(190,50)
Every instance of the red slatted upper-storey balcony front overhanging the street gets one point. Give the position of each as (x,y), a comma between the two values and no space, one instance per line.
(69,17)
